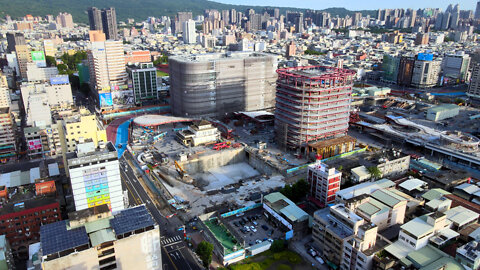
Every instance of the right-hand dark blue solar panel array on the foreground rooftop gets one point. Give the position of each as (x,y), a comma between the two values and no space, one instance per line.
(131,219)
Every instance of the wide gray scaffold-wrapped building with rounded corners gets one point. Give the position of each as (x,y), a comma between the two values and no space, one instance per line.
(213,85)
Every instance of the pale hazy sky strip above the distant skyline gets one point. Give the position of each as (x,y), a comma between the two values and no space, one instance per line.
(357,4)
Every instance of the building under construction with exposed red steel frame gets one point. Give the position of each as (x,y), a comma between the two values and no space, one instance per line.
(313,103)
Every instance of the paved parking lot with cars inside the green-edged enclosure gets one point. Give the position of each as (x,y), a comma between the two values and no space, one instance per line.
(260,234)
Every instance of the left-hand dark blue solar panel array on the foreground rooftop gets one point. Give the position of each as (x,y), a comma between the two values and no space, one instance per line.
(56,238)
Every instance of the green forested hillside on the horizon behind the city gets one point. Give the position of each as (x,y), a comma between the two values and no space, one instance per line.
(137,9)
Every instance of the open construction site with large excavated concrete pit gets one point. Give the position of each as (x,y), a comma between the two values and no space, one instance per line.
(204,160)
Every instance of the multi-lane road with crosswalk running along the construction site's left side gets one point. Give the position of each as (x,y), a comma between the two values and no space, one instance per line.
(175,253)
